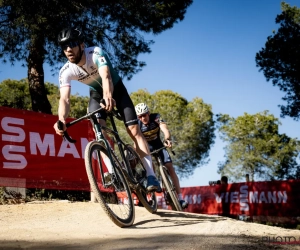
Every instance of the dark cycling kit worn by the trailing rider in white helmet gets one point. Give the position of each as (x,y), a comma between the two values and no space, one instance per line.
(151,132)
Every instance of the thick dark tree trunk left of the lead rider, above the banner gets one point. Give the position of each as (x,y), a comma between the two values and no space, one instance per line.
(39,100)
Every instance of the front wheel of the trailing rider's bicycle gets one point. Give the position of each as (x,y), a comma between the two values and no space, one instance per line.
(170,191)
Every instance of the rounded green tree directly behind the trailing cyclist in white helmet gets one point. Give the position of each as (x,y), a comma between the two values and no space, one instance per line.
(190,123)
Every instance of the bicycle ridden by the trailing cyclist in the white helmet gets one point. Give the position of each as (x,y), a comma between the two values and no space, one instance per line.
(168,188)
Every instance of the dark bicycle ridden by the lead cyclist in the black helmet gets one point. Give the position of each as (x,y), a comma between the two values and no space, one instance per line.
(115,193)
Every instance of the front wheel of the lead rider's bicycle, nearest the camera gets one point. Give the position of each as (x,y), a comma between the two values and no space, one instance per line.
(113,192)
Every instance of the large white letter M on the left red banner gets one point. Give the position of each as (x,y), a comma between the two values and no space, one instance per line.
(36,142)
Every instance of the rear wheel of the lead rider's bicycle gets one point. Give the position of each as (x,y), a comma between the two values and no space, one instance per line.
(139,174)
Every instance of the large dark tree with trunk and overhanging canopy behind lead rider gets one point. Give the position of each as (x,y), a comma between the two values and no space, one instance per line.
(28,32)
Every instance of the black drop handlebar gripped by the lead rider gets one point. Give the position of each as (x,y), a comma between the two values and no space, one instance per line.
(66,136)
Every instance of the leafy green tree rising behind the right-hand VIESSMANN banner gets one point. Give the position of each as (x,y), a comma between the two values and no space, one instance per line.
(255,147)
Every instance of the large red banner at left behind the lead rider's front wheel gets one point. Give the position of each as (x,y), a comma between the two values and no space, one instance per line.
(33,156)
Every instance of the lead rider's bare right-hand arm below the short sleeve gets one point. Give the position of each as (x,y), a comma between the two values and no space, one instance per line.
(107,86)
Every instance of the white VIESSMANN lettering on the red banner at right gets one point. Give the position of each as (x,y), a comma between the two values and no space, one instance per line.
(244,197)
